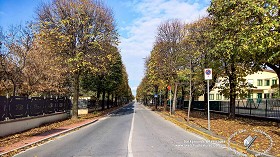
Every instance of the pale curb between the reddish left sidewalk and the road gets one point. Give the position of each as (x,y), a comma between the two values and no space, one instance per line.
(47,138)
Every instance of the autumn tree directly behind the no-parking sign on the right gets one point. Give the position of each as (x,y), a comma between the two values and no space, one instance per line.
(197,46)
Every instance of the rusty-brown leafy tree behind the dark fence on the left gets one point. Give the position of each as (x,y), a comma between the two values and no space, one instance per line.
(43,75)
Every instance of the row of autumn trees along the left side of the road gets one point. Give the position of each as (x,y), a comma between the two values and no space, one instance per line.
(71,46)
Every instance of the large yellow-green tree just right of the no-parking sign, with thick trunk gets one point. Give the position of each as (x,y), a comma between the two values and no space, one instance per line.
(227,35)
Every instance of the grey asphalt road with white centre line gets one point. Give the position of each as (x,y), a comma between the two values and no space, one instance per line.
(131,131)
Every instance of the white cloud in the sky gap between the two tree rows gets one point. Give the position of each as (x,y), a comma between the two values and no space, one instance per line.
(142,31)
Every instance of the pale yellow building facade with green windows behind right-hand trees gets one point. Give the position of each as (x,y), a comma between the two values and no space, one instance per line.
(260,83)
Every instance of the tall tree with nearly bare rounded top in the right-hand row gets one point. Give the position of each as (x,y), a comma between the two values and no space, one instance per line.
(169,36)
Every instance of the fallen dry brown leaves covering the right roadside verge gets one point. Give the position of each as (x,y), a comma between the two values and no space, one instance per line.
(221,125)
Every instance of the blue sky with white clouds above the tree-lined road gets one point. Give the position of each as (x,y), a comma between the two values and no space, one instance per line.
(137,22)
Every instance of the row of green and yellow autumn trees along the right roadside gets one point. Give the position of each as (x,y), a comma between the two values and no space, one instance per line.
(237,38)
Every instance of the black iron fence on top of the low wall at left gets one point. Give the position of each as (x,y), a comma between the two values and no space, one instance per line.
(19,107)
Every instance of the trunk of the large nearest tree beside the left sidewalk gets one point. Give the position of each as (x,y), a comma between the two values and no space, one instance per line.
(75,96)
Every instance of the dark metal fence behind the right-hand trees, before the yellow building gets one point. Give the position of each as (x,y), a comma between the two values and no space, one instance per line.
(268,108)
